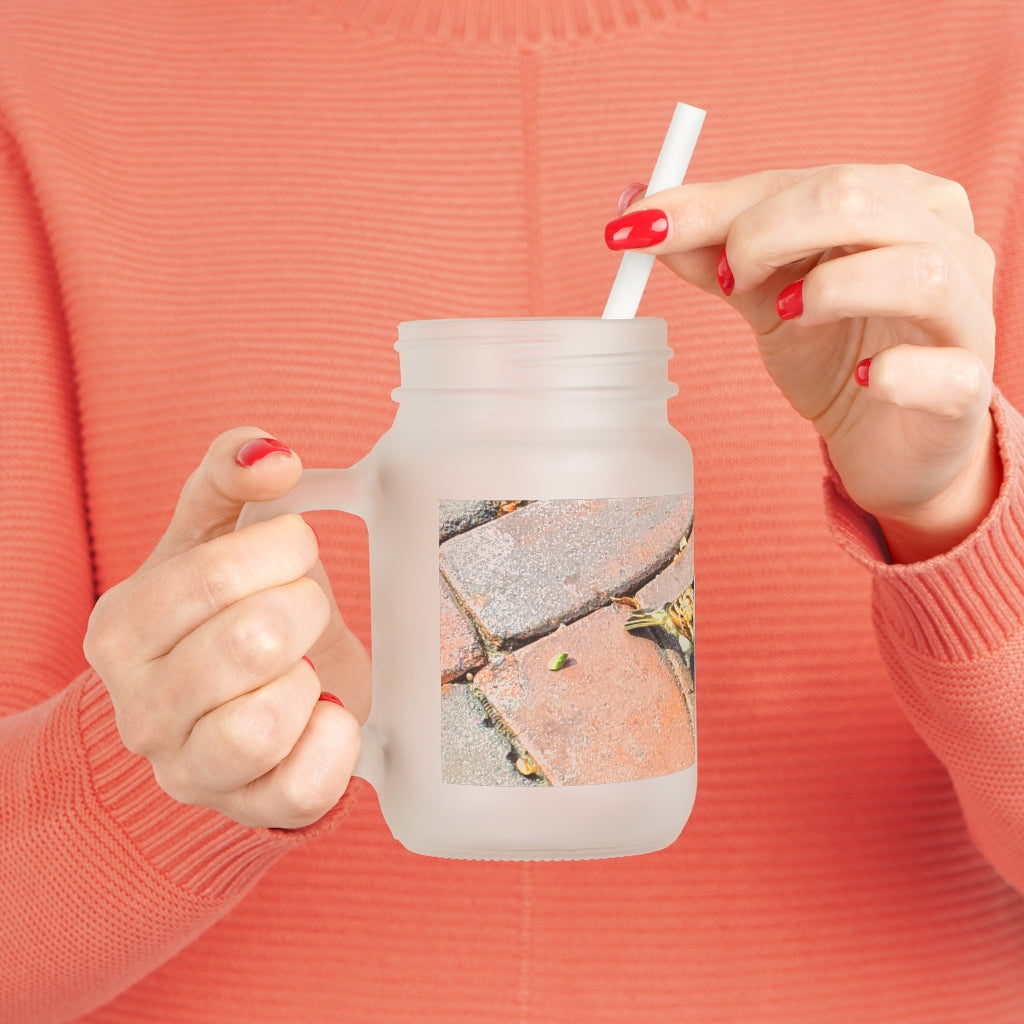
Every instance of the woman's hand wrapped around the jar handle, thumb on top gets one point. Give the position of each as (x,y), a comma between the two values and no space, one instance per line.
(203,651)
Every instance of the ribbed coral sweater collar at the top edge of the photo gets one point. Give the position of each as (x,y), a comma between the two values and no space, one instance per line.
(522,22)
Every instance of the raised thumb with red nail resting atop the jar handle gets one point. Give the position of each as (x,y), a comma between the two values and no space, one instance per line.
(242,465)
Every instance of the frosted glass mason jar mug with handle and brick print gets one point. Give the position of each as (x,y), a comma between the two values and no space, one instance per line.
(530,519)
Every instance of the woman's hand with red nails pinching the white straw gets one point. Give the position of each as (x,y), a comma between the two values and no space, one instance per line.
(871,298)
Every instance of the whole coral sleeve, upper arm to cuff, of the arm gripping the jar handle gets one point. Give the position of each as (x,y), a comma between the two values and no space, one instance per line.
(103,877)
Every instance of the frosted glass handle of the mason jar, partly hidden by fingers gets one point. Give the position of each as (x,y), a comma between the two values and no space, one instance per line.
(338,491)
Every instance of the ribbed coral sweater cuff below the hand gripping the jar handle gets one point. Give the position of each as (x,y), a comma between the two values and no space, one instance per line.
(199,850)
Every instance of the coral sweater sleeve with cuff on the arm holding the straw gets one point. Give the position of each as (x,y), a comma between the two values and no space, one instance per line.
(952,632)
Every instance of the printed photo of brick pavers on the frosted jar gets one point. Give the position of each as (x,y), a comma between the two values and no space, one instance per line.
(537,653)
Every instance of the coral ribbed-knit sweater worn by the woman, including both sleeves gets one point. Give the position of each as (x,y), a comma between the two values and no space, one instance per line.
(216,214)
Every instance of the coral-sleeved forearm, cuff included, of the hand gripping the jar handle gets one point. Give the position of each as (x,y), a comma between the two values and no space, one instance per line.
(105,877)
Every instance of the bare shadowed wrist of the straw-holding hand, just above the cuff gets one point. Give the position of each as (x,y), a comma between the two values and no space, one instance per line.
(949,519)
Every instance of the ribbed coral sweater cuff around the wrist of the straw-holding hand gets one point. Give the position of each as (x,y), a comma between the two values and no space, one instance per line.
(964,604)
